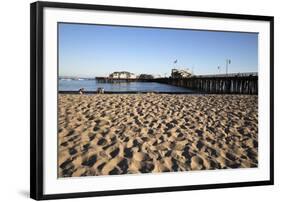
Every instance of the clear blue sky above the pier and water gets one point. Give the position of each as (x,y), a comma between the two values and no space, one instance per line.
(97,50)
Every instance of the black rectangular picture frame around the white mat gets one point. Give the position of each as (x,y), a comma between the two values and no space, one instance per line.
(36,98)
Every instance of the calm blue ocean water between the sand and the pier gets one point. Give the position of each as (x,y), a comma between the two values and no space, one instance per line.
(92,85)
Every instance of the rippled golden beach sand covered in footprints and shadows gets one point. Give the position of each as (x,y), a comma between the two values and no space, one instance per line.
(142,133)
